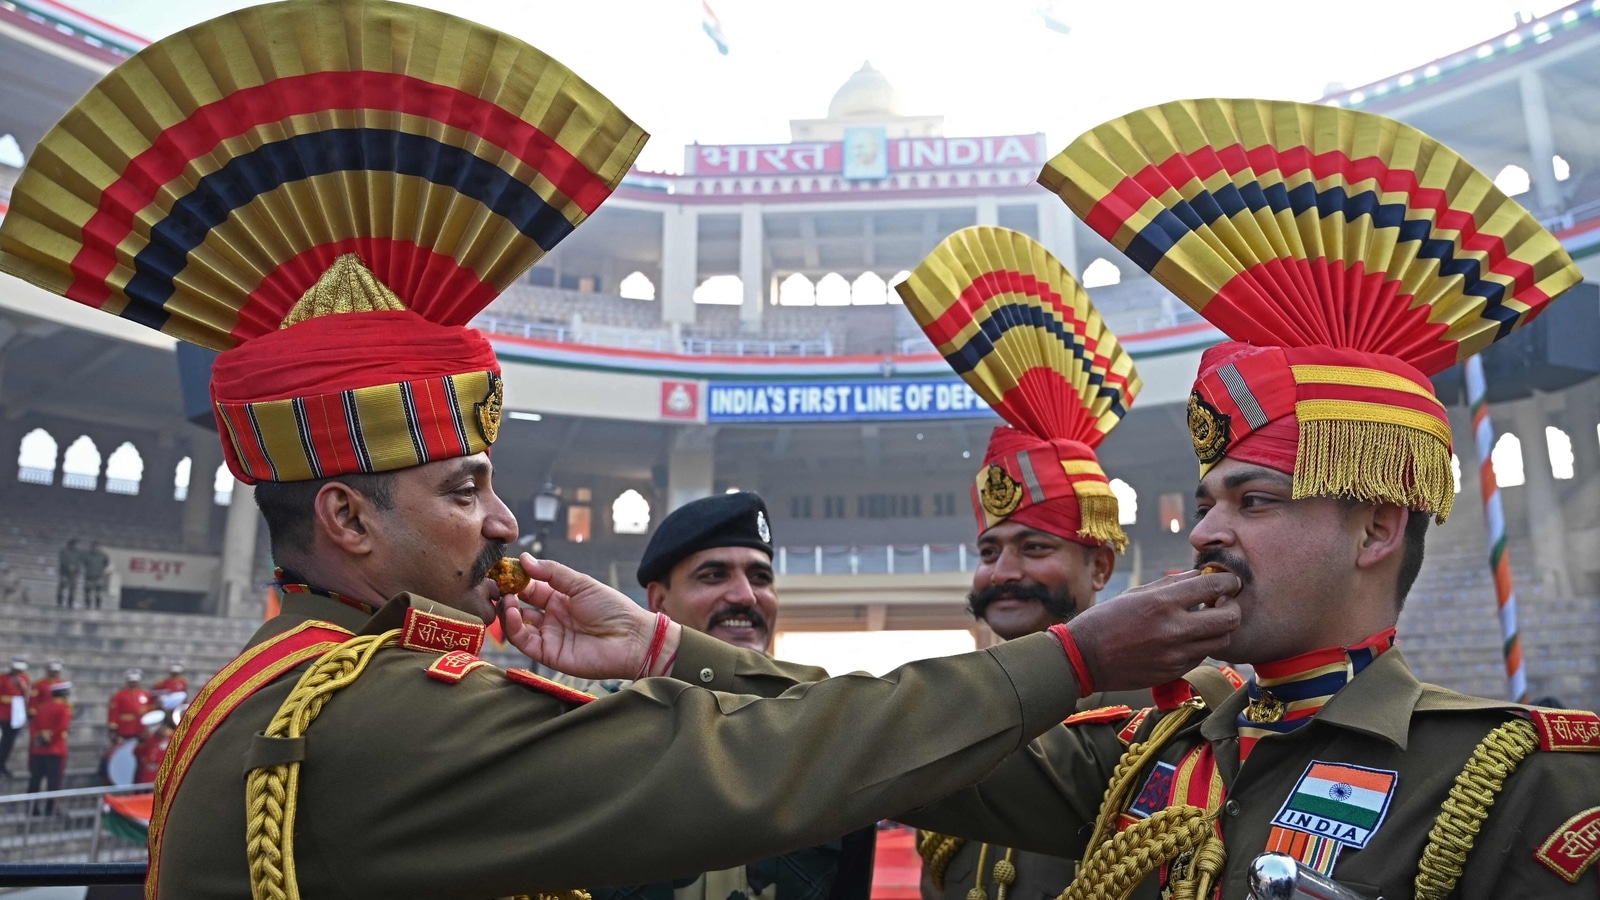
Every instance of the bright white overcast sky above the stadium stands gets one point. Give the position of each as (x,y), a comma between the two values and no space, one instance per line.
(988,66)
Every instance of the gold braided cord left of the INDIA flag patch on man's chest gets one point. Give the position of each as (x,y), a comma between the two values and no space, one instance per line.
(1114,864)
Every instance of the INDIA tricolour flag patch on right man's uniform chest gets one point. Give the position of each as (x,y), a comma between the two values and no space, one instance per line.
(1338,802)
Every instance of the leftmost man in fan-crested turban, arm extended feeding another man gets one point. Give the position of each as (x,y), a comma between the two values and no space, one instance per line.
(327,191)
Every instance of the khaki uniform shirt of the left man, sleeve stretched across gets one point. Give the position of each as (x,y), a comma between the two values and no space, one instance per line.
(415,789)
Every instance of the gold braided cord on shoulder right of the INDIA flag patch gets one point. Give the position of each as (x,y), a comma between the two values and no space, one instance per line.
(1471,798)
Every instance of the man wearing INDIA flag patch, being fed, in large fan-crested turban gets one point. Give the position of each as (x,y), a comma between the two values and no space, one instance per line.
(1348,259)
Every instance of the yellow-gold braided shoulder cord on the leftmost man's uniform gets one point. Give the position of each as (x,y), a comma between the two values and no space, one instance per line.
(271,792)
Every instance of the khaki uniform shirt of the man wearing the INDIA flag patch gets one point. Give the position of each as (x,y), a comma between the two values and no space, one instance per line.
(1049,797)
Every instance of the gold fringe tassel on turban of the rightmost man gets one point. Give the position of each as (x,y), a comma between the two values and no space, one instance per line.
(1375,462)
